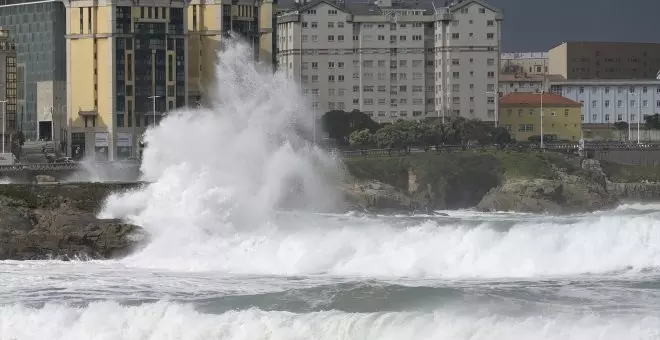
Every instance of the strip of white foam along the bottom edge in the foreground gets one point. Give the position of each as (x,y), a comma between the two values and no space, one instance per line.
(165,320)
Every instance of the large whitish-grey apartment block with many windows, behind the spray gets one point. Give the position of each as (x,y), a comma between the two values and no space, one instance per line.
(394,60)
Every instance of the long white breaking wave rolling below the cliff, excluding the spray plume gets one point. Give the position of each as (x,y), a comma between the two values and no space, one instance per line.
(422,249)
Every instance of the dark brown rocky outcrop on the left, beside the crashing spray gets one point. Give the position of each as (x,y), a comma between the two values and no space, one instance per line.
(59,221)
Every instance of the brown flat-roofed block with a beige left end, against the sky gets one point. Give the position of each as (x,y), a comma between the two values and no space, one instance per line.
(605,60)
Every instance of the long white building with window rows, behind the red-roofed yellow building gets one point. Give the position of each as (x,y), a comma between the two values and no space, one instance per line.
(610,101)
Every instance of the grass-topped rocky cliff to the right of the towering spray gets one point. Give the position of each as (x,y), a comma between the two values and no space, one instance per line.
(490,181)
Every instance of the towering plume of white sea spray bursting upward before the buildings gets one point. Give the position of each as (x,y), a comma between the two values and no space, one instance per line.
(225,169)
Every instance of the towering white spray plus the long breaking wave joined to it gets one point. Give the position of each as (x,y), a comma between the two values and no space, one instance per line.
(219,174)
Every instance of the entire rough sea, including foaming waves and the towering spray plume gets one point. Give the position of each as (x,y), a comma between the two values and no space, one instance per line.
(244,244)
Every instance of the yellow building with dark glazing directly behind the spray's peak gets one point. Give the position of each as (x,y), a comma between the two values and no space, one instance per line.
(209,21)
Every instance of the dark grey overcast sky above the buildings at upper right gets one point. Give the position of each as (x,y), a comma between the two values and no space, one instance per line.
(539,25)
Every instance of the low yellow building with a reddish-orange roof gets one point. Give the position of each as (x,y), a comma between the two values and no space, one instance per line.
(520,113)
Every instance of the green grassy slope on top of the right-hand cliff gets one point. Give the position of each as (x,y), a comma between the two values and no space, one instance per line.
(456,179)
